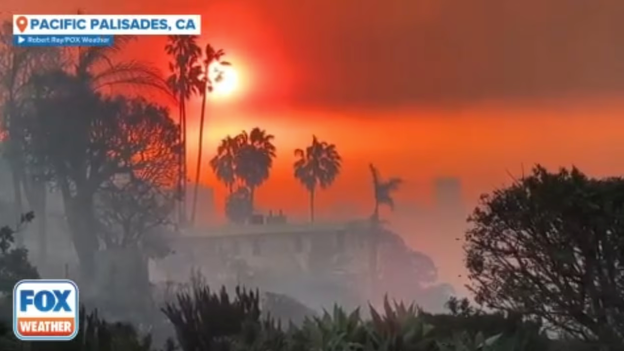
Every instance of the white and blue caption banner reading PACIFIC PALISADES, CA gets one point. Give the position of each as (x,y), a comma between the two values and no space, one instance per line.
(96,30)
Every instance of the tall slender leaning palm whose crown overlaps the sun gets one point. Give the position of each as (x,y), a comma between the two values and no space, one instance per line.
(212,75)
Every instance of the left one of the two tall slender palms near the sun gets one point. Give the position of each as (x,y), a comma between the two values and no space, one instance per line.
(184,81)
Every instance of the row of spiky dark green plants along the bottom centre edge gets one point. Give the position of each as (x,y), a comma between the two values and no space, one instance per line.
(209,321)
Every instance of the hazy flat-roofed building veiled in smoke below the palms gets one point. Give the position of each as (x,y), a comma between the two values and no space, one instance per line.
(274,255)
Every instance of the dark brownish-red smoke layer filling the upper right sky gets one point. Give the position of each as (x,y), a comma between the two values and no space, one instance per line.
(379,54)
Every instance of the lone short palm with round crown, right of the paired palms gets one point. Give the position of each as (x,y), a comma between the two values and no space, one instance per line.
(317,166)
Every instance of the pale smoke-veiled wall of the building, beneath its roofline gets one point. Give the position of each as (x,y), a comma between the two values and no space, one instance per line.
(284,254)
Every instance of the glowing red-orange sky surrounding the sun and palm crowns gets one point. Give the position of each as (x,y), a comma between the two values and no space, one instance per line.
(421,88)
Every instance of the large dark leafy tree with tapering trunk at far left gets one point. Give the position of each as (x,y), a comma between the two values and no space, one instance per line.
(81,136)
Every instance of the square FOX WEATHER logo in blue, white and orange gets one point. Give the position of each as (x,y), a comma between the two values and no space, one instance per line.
(45,310)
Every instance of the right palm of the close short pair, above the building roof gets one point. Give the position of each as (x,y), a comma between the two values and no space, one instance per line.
(254,158)
